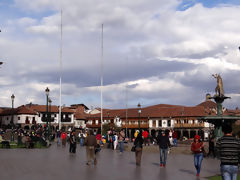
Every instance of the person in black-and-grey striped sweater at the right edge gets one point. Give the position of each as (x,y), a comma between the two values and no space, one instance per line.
(228,150)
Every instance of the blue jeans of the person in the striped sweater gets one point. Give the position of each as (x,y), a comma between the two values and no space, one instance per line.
(229,172)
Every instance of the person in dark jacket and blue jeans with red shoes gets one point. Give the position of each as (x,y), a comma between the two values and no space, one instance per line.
(164,144)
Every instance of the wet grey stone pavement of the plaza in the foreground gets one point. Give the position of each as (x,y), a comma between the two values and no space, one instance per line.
(55,163)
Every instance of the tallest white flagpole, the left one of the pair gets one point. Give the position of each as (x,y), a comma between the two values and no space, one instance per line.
(60,81)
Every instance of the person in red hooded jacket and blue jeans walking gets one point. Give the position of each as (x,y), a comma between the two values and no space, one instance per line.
(197,149)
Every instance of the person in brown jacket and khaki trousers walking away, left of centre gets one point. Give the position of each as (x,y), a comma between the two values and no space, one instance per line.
(91,144)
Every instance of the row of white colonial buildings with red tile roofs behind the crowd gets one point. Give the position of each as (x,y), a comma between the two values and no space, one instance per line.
(182,119)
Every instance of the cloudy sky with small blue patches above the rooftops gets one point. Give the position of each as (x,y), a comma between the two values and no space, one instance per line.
(154,51)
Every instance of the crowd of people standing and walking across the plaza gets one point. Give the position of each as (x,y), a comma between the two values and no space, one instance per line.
(227,148)
